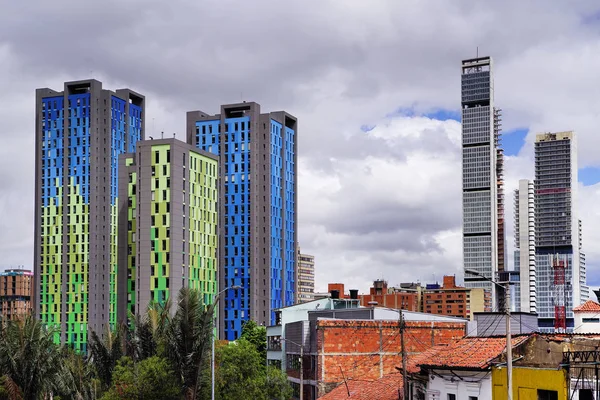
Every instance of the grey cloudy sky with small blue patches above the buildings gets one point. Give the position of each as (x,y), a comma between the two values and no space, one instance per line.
(375,86)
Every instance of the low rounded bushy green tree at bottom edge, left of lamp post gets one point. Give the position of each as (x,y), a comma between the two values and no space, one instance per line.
(149,379)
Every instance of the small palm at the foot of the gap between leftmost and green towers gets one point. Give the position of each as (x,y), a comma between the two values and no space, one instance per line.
(106,352)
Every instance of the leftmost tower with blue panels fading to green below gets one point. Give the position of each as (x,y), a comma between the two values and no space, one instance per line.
(80,133)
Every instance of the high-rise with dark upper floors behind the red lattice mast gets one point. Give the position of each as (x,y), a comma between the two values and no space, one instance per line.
(557,230)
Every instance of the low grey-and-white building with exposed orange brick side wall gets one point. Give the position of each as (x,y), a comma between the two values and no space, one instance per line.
(339,339)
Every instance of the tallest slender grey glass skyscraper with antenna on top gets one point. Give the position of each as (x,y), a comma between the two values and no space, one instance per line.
(482,183)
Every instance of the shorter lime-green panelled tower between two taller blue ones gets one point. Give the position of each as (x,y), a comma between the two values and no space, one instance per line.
(168,224)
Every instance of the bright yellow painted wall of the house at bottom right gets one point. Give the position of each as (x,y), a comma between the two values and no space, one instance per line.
(526,382)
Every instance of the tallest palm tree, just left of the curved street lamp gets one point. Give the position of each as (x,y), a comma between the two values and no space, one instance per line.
(188,340)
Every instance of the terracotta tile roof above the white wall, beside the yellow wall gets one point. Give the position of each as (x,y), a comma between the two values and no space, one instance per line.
(468,352)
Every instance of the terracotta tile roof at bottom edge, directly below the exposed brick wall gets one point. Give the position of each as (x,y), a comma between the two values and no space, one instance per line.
(386,388)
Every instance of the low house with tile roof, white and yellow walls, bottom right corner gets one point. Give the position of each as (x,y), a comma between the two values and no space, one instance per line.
(545,366)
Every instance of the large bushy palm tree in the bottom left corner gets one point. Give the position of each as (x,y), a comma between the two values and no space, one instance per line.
(29,358)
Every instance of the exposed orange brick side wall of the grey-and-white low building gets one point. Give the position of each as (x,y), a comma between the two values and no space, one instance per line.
(366,350)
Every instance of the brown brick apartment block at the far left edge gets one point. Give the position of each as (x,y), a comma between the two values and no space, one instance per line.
(16,293)
